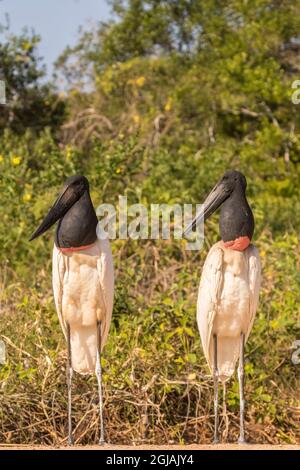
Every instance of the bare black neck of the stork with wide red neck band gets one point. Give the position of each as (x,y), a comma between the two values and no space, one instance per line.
(236,219)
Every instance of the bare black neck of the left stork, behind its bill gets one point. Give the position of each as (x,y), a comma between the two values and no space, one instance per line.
(78,226)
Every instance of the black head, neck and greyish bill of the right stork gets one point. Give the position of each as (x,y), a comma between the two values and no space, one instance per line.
(236,218)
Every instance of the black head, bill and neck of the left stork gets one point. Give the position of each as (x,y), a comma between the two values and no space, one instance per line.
(75,211)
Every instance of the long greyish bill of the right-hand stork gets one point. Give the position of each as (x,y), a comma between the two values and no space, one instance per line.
(213,201)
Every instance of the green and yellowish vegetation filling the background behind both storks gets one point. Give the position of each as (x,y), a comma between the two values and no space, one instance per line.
(159,102)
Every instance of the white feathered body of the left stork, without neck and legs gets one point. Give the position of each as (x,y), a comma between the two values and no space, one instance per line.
(83,285)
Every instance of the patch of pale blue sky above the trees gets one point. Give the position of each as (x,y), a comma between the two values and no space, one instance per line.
(56,21)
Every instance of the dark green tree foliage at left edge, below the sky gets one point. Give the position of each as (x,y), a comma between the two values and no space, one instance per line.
(30,104)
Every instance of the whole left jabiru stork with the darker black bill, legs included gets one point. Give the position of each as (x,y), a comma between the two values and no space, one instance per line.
(83,283)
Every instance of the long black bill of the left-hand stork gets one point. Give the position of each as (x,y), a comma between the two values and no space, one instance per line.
(63,203)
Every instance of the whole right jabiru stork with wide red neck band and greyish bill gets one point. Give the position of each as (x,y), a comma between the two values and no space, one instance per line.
(229,287)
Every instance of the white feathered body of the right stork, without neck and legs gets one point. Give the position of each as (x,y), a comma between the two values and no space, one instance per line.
(227,303)
